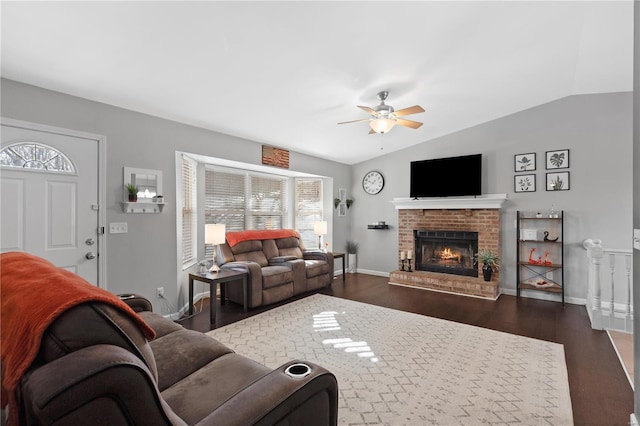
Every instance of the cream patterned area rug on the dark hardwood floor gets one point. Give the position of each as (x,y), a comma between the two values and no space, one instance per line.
(396,367)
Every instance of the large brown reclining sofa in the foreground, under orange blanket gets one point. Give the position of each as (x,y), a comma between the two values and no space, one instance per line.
(95,367)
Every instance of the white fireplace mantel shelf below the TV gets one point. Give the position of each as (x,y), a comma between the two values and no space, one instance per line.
(487,201)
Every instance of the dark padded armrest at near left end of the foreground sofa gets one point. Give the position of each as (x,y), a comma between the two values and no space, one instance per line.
(100,384)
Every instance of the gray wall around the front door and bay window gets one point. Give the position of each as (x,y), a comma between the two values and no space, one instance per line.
(146,257)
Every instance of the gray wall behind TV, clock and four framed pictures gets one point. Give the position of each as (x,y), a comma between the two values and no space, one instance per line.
(597,129)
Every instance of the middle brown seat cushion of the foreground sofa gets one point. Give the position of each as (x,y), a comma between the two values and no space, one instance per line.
(182,352)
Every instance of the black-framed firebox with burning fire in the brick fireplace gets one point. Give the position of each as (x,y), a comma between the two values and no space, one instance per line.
(449,252)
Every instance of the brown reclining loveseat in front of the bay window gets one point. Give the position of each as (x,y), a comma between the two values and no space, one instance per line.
(279,268)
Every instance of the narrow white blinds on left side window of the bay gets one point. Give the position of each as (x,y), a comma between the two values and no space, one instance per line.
(188,211)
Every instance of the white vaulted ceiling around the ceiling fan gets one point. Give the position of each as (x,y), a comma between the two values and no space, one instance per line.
(285,73)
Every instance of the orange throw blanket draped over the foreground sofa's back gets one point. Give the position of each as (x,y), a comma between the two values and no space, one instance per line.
(33,293)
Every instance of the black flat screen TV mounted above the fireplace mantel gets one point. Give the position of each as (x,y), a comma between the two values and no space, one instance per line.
(447,177)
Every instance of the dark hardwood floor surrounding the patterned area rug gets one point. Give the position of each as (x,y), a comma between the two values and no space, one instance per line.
(600,391)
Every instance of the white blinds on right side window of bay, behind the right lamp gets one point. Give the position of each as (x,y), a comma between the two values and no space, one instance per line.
(308,209)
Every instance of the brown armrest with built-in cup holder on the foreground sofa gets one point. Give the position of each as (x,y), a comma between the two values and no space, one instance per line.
(277,398)
